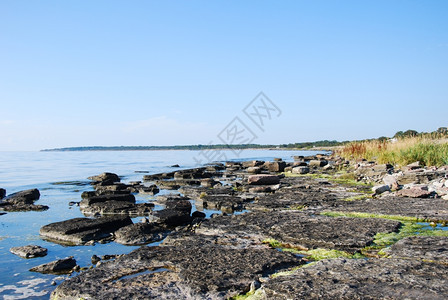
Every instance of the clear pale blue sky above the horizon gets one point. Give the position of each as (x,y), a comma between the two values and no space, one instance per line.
(84,73)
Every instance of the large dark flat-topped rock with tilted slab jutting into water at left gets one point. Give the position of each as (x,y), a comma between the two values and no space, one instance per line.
(83,230)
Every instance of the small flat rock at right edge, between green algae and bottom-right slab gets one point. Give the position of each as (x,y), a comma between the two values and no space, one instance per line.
(429,248)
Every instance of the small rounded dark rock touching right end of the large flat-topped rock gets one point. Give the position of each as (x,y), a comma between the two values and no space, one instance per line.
(140,234)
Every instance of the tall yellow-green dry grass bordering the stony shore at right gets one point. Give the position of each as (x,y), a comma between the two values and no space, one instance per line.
(430,150)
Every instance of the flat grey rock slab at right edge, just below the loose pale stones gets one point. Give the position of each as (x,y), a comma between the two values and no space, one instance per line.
(424,209)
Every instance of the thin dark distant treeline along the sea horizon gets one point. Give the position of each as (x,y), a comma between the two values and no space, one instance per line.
(200,147)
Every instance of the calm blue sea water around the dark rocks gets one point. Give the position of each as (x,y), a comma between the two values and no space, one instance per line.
(61,177)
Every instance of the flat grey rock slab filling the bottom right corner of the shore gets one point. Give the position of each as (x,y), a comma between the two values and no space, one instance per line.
(361,279)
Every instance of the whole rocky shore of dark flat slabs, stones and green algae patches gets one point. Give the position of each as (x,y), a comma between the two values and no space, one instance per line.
(316,228)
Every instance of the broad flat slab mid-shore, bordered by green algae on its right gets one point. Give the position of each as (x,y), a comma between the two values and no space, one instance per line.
(298,228)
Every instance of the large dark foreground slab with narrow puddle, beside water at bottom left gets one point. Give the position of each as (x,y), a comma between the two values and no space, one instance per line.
(185,271)
